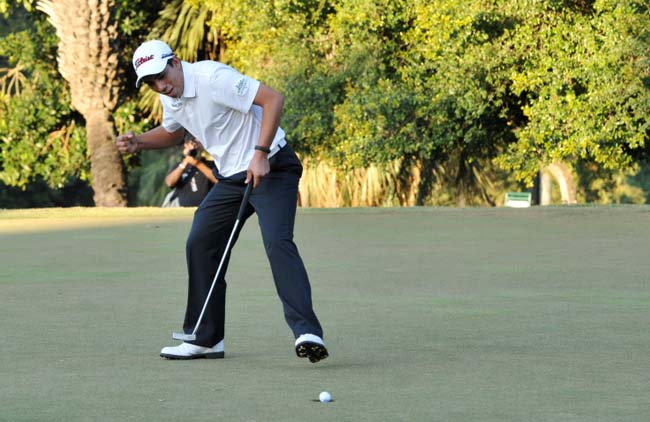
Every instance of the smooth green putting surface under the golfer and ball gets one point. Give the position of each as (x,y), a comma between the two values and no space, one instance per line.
(430,314)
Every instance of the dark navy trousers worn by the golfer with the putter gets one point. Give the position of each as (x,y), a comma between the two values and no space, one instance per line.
(274,201)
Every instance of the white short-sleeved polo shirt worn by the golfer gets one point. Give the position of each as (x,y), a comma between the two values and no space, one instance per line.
(217,108)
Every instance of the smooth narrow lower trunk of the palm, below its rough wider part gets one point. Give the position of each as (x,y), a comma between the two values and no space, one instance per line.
(106,168)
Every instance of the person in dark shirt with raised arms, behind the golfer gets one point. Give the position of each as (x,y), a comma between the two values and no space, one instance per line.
(191,179)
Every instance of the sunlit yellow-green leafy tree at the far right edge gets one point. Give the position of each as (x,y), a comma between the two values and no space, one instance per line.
(584,74)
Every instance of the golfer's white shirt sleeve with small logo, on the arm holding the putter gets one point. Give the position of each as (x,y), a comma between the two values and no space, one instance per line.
(232,89)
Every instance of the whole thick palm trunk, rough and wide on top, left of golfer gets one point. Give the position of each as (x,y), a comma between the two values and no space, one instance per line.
(88,60)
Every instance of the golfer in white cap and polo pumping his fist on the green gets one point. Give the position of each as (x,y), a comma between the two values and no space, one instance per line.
(237,118)
